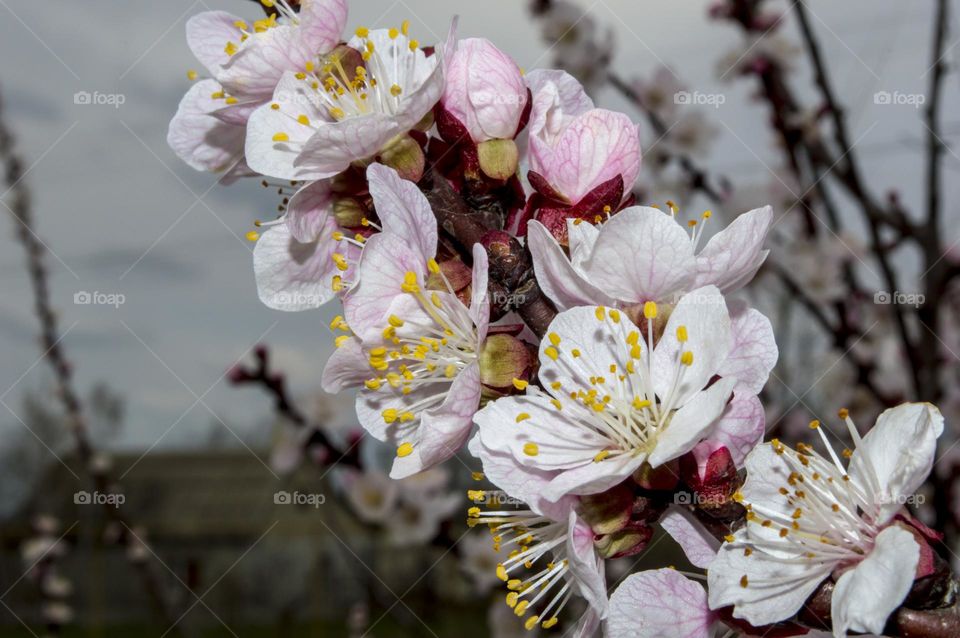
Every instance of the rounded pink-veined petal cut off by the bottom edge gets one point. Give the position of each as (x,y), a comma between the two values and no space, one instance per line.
(659,603)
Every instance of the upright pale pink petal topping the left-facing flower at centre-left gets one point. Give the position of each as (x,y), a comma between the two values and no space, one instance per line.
(403,210)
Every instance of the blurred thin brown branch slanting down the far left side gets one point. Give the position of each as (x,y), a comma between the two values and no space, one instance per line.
(20,208)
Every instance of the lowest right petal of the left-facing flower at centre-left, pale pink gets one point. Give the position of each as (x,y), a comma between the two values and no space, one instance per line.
(444,430)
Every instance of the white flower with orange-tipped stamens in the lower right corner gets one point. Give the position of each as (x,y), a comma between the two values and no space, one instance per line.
(809,517)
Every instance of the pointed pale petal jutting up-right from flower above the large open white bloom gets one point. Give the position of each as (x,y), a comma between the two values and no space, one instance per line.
(732,257)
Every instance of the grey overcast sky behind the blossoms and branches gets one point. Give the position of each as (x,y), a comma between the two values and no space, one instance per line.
(122,215)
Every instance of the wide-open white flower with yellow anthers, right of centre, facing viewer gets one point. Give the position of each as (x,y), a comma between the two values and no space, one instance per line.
(615,401)
